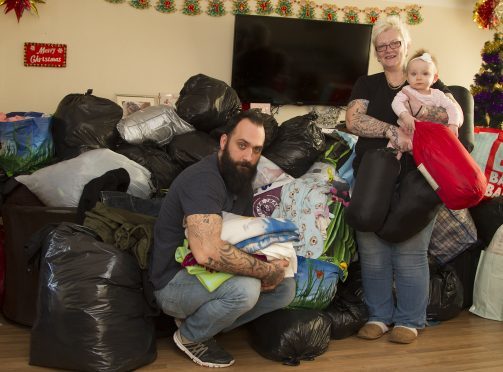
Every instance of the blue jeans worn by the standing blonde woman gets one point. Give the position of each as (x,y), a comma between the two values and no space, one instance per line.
(405,264)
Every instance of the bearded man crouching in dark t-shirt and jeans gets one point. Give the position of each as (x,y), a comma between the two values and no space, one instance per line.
(193,209)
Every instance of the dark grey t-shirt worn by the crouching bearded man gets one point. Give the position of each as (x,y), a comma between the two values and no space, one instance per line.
(199,189)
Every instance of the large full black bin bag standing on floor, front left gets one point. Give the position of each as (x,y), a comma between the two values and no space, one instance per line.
(91,314)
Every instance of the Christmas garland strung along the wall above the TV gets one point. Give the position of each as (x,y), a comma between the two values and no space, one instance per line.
(305,9)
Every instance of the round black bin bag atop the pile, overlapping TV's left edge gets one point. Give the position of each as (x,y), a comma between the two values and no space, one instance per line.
(207,103)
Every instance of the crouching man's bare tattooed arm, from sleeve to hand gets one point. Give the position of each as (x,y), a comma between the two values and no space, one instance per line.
(210,251)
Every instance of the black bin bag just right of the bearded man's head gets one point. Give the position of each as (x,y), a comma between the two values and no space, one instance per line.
(297,145)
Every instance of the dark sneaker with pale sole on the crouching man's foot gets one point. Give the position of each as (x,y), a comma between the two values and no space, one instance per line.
(207,353)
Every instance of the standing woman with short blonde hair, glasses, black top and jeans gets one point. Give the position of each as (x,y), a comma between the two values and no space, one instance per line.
(370,116)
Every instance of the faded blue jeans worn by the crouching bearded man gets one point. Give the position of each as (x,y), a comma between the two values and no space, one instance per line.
(235,302)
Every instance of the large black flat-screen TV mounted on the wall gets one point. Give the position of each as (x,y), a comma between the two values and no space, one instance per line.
(295,61)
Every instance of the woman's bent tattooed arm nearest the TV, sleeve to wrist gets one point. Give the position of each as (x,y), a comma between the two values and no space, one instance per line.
(364,125)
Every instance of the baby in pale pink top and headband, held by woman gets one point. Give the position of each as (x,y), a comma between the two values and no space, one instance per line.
(421,75)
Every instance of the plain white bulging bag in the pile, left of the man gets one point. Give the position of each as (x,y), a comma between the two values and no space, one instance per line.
(61,184)
